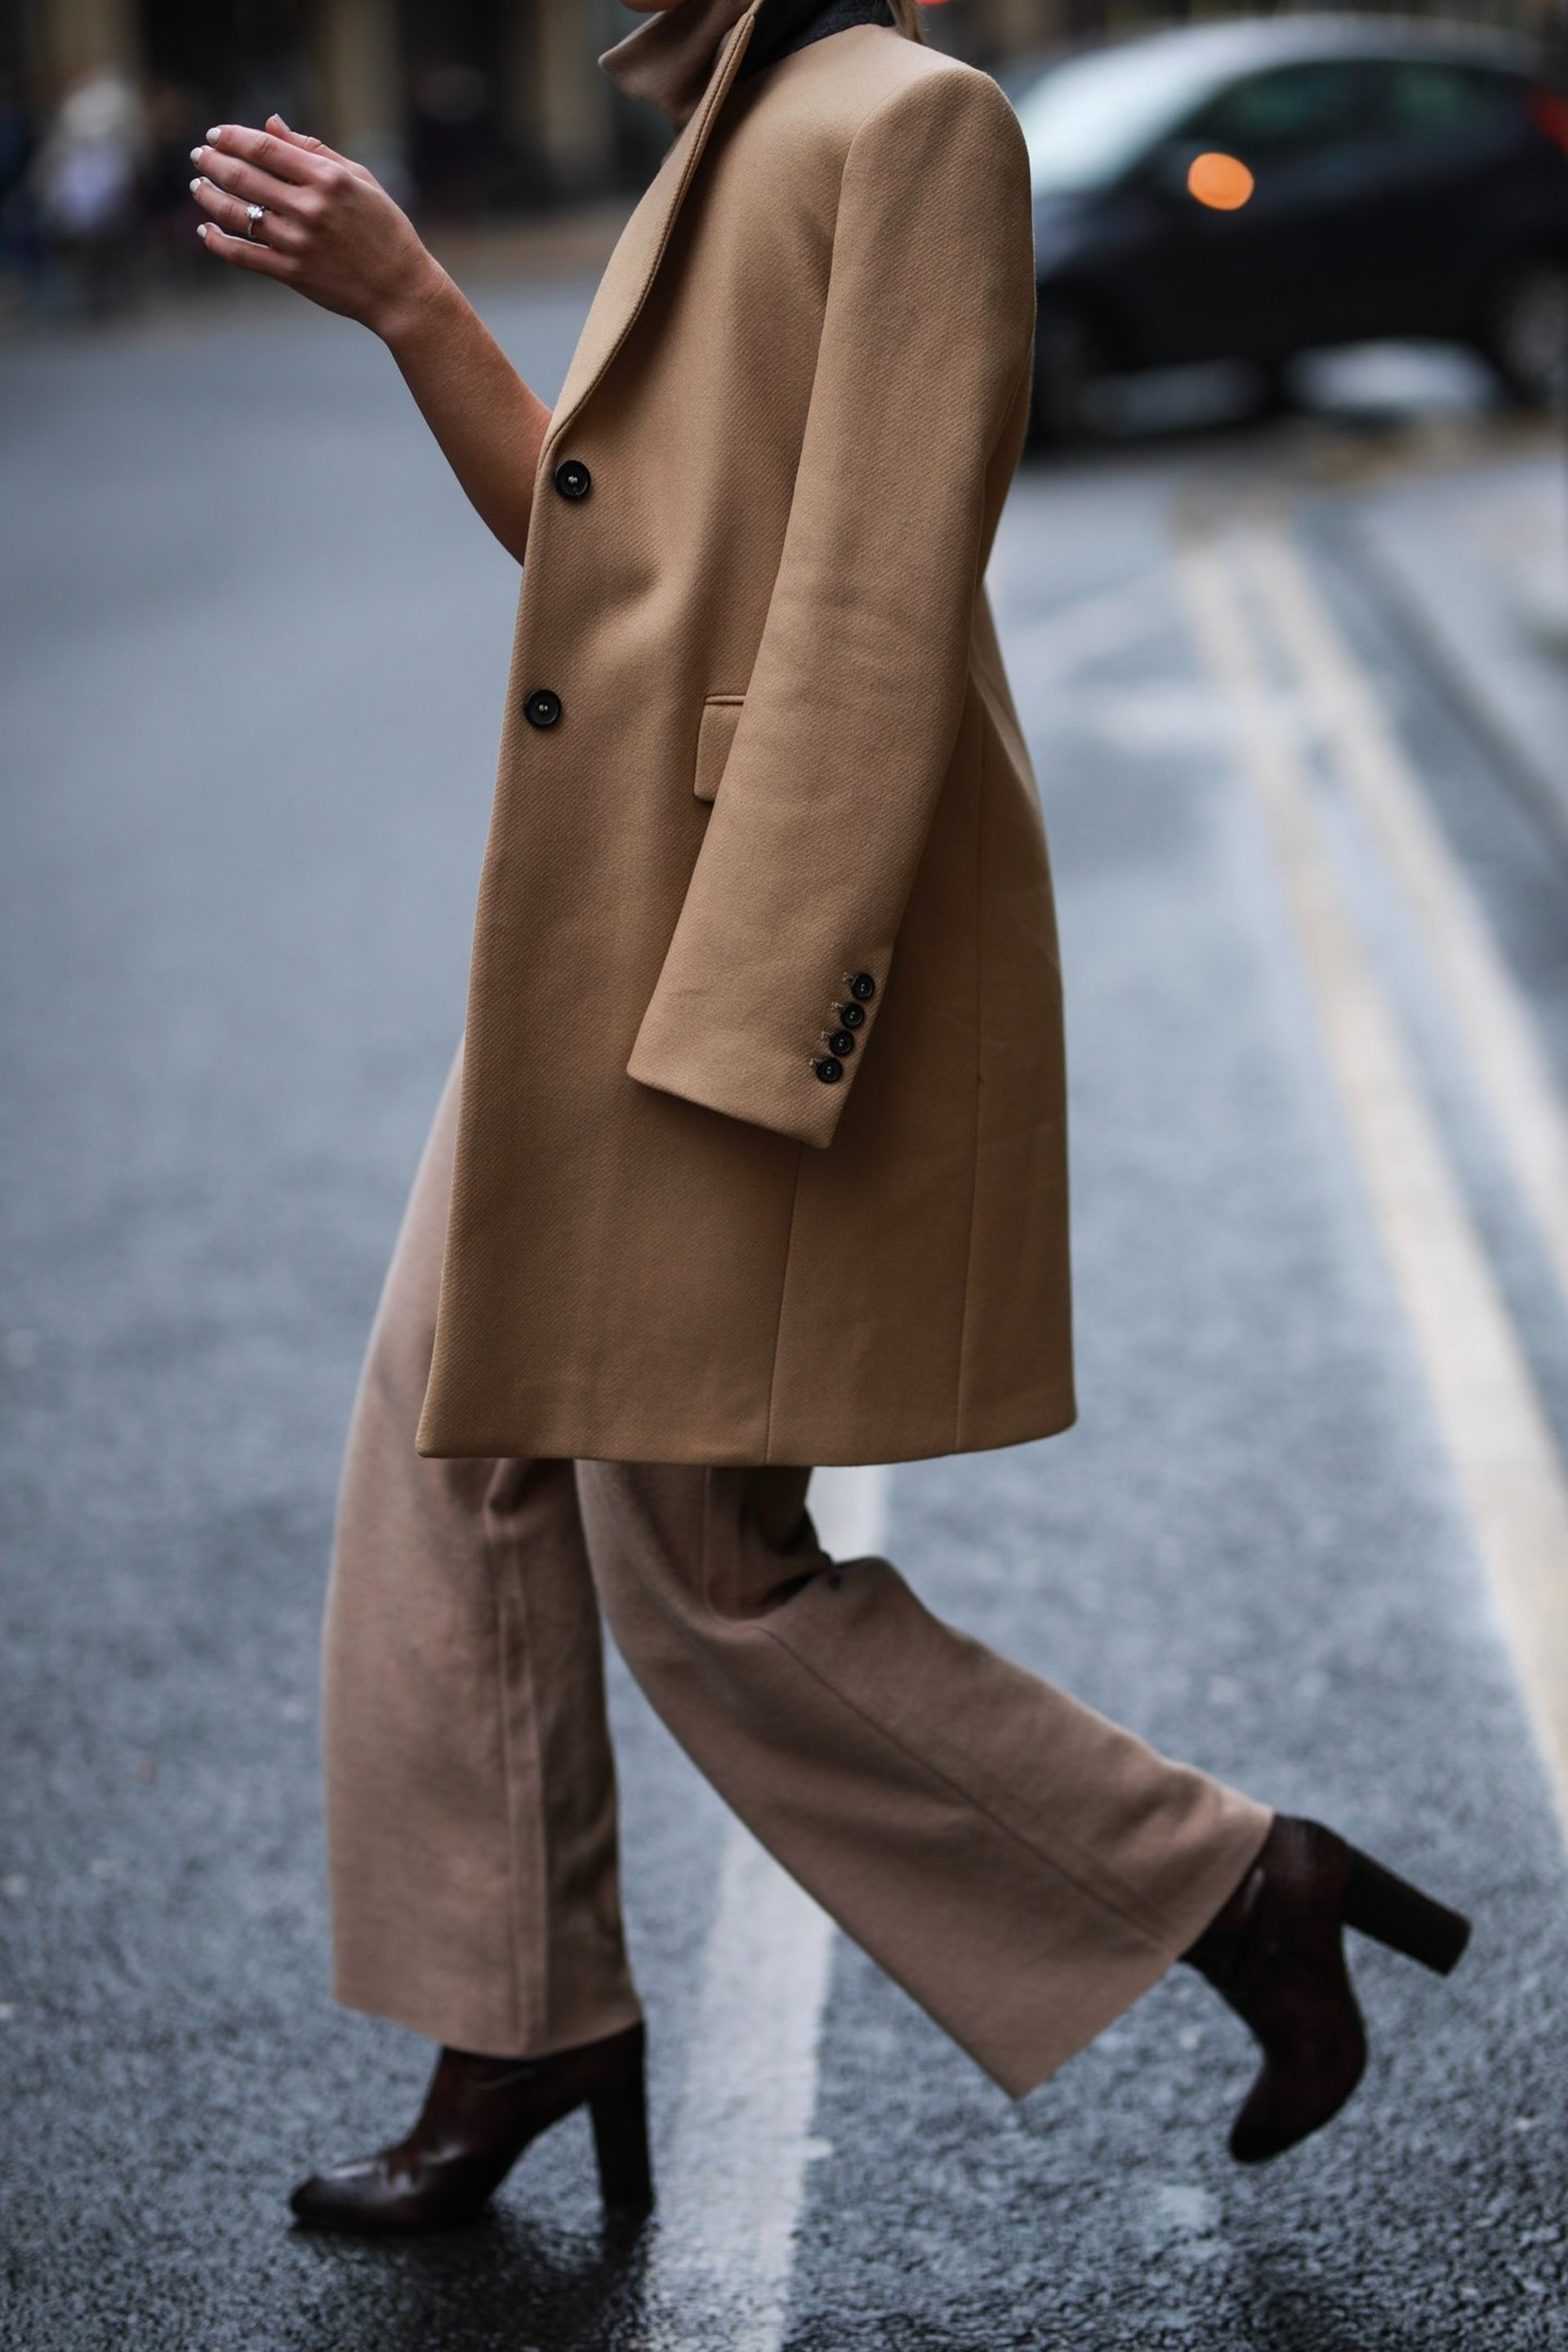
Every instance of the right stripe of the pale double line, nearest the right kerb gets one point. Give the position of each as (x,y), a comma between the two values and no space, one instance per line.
(1489,1013)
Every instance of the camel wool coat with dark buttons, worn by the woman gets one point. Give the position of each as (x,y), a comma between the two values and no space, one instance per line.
(760,1147)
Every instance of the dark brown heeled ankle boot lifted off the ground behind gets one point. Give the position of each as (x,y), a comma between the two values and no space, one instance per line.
(1278,1956)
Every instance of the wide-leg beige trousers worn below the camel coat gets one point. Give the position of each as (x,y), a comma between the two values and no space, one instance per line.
(1012,1859)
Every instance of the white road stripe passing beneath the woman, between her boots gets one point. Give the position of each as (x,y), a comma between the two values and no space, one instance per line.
(735,2179)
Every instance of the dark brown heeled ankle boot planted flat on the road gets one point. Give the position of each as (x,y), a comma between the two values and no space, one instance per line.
(478,2118)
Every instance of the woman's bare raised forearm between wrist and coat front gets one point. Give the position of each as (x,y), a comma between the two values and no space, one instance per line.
(476,403)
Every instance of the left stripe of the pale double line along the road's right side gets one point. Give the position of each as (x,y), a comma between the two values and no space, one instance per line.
(1482,1389)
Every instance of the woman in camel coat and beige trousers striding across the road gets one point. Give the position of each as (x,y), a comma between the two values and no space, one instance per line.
(753,1156)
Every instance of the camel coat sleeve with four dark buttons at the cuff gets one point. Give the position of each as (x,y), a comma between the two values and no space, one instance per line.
(857,693)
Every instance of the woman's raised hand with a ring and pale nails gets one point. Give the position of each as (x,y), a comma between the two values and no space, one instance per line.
(328,227)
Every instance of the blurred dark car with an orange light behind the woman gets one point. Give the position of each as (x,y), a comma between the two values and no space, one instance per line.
(1249,192)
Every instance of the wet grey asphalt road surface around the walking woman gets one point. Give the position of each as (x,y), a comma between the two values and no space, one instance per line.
(1306,1532)
